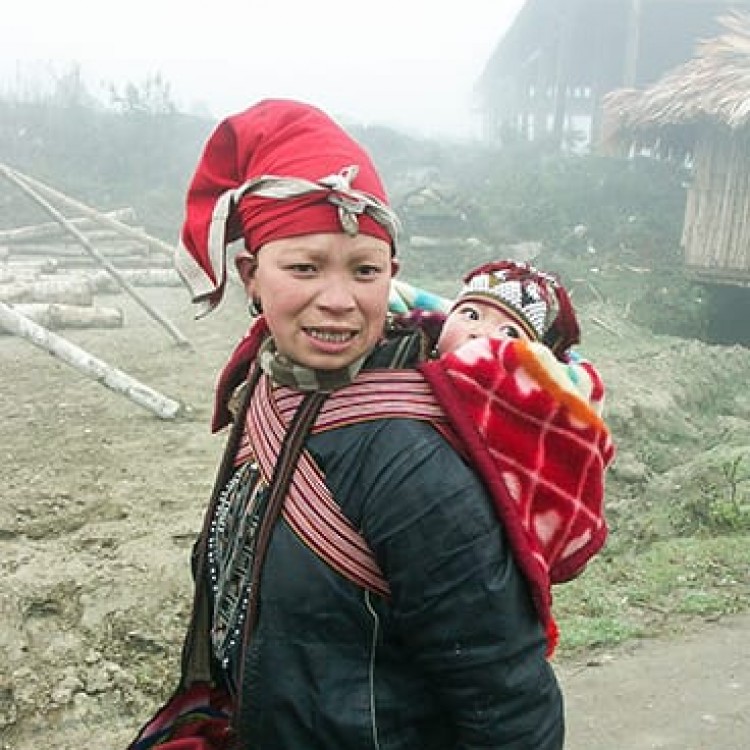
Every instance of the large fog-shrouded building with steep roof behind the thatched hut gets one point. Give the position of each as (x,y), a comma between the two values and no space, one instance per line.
(550,71)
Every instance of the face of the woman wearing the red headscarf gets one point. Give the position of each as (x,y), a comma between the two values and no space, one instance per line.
(324,296)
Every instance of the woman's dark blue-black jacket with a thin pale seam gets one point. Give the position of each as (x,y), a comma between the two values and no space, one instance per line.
(455,660)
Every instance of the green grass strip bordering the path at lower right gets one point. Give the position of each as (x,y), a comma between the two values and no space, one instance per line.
(633,592)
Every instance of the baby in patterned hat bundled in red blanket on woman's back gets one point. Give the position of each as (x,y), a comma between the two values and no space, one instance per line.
(526,412)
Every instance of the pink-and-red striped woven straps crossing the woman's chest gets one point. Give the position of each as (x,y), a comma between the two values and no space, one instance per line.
(309,508)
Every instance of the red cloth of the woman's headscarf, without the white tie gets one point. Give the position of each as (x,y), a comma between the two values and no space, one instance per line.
(282,138)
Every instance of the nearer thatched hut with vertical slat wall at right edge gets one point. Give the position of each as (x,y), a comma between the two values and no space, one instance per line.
(700,111)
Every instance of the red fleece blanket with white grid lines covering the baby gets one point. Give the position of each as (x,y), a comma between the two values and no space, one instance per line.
(541,450)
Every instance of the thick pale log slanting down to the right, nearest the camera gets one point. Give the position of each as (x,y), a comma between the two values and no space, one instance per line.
(102,373)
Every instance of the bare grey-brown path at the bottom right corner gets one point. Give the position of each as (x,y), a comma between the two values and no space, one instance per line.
(689,693)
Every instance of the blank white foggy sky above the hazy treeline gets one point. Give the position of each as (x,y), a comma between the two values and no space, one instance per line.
(410,64)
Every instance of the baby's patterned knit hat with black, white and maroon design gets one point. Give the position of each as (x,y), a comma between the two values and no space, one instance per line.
(536,300)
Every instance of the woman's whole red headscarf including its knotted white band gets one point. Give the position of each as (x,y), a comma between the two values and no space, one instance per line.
(279,169)
